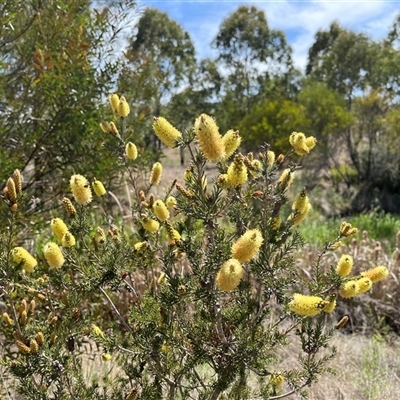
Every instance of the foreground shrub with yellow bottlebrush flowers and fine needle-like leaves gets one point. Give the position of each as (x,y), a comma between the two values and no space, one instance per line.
(192,296)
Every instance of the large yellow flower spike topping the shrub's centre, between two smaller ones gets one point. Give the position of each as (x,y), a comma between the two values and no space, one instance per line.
(209,139)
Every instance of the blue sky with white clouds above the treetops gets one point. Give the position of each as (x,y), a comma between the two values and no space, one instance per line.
(300,20)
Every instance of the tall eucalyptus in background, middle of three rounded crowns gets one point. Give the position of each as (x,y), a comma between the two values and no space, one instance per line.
(250,55)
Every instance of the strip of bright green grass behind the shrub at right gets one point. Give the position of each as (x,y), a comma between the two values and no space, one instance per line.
(380,226)
